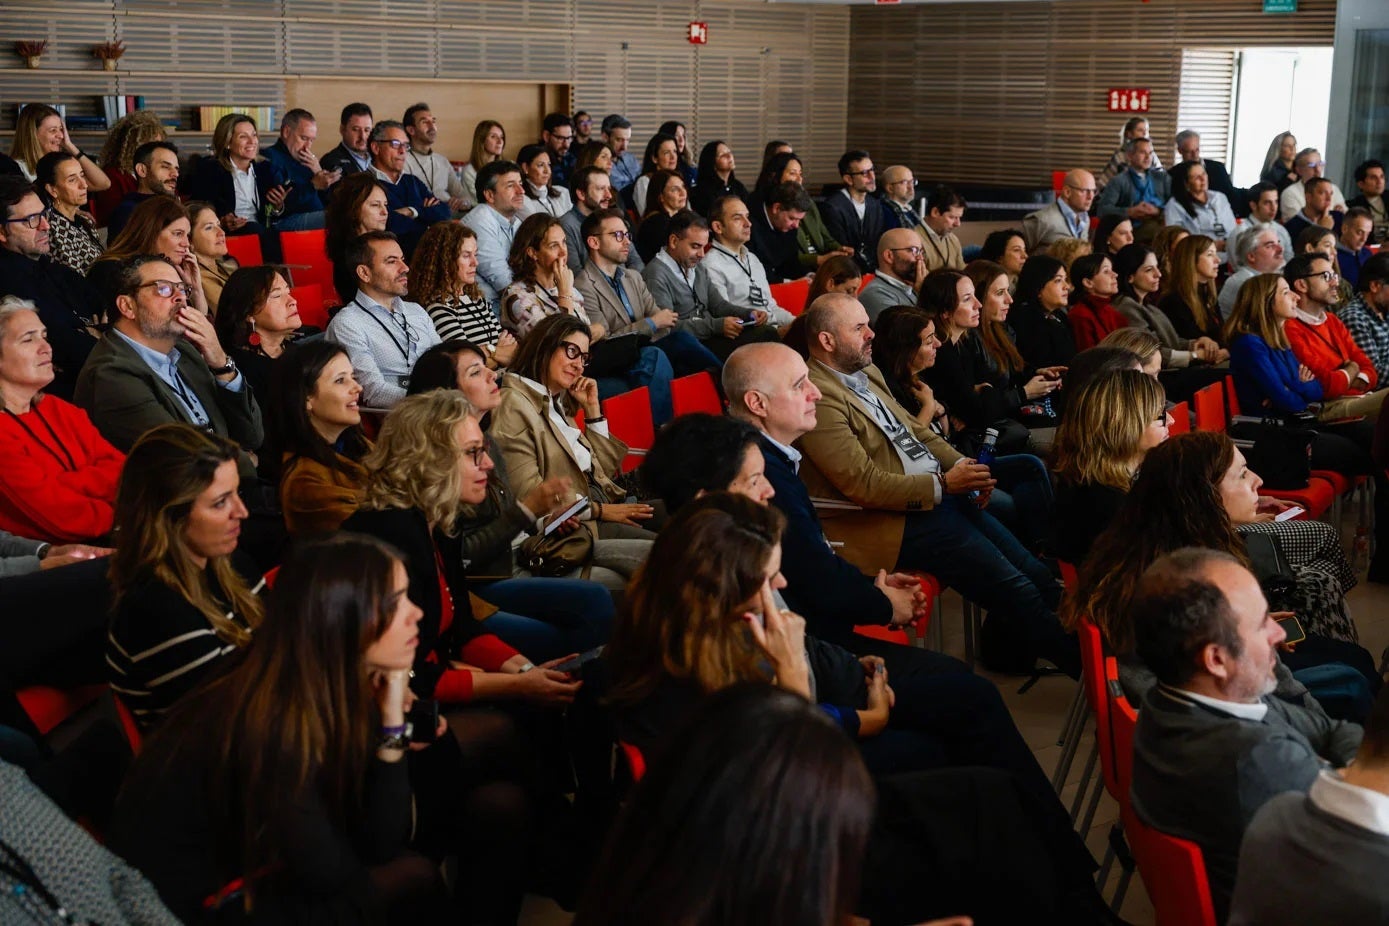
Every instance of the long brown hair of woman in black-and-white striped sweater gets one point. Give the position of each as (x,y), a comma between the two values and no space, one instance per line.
(166,473)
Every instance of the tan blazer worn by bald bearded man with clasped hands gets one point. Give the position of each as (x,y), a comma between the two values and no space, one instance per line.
(849,459)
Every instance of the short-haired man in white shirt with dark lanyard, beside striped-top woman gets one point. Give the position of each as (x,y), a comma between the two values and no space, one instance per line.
(383,334)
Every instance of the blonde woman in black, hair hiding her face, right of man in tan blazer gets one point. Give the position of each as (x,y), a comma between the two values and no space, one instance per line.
(1111,424)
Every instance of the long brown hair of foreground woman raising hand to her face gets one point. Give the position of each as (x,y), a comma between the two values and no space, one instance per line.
(683,616)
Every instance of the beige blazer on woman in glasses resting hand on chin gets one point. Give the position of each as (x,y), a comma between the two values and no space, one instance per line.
(535,451)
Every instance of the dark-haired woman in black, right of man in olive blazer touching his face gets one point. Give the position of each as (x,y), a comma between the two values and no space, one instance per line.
(259,319)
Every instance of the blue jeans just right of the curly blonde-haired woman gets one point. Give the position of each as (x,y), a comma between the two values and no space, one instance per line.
(549,618)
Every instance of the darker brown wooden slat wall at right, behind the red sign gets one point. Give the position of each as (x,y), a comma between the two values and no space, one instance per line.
(1008,92)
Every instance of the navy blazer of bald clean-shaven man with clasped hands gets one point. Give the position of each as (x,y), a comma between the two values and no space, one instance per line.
(823,587)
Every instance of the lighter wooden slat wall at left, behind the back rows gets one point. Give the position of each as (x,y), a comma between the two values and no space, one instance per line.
(779,70)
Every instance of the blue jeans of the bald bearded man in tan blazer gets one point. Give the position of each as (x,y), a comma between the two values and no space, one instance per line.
(969,550)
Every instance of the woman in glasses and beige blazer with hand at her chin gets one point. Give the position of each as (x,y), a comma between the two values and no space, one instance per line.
(535,430)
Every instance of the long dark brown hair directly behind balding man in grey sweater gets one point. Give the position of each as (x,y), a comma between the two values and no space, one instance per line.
(1174,503)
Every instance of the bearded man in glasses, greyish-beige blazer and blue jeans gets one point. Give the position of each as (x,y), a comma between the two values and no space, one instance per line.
(622,301)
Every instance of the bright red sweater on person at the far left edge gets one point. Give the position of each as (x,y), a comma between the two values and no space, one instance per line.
(58,474)
